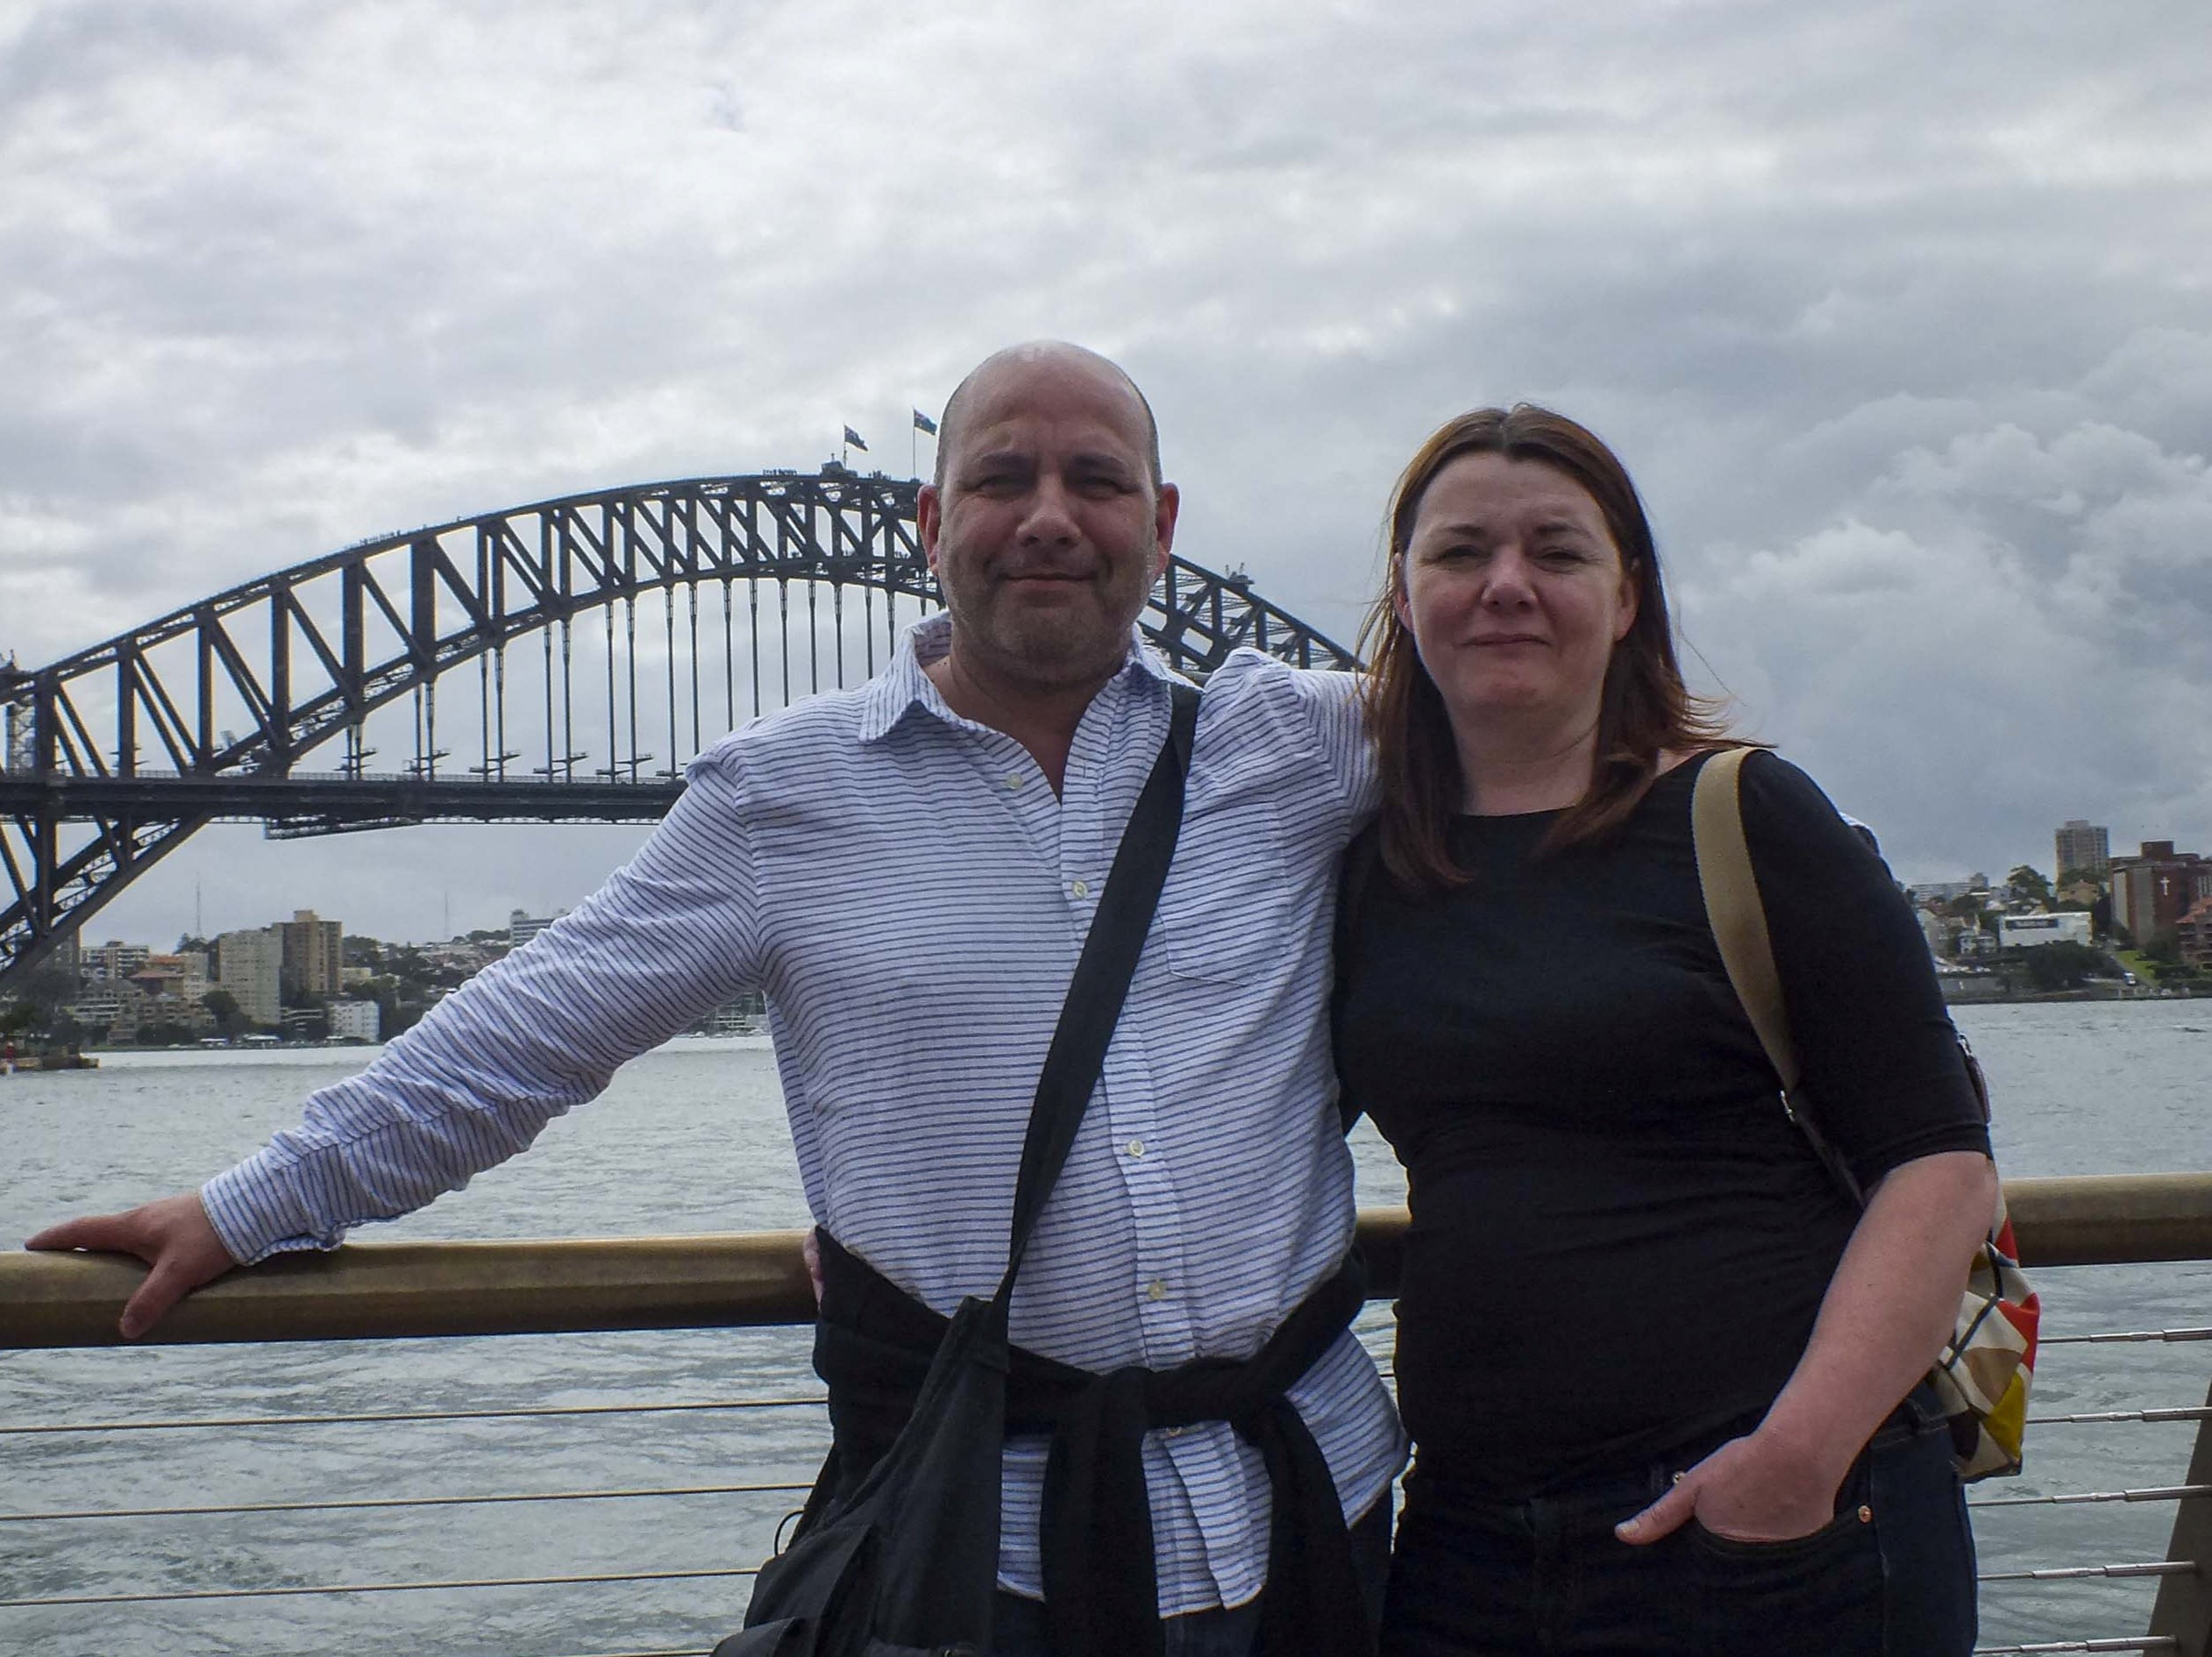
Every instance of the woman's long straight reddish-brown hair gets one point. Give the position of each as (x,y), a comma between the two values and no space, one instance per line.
(1645,707)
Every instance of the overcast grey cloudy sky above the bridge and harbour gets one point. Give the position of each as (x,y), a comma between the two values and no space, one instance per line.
(1901,315)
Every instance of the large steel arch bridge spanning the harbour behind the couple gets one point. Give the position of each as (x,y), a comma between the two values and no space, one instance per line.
(552,663)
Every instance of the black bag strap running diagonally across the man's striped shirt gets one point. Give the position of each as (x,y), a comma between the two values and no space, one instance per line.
(1103,975)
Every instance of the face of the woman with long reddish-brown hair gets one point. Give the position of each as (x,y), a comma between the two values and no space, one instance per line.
(1514,594)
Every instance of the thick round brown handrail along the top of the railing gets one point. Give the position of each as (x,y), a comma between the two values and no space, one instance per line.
(731,1280)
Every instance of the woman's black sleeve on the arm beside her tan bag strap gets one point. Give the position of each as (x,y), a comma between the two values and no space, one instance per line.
(1881,1061)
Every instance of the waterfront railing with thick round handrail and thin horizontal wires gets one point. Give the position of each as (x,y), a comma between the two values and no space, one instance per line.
(393,1291)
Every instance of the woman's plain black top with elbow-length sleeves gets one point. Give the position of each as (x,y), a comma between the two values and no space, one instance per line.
(1620,1242)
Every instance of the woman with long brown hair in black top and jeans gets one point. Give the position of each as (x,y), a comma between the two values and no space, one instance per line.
(1658,1368)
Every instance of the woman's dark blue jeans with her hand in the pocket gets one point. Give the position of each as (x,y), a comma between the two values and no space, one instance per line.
(1890,1576)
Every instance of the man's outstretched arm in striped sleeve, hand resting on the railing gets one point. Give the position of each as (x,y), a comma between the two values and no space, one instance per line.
(667,939)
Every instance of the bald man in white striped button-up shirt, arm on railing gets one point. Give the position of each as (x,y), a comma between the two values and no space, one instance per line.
(910,873)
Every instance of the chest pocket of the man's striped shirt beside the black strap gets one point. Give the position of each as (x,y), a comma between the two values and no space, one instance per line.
(1233,895)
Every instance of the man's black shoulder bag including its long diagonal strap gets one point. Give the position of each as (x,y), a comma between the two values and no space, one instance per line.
(908,1563)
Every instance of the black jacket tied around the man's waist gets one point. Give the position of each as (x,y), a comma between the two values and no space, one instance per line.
(875,1342)
